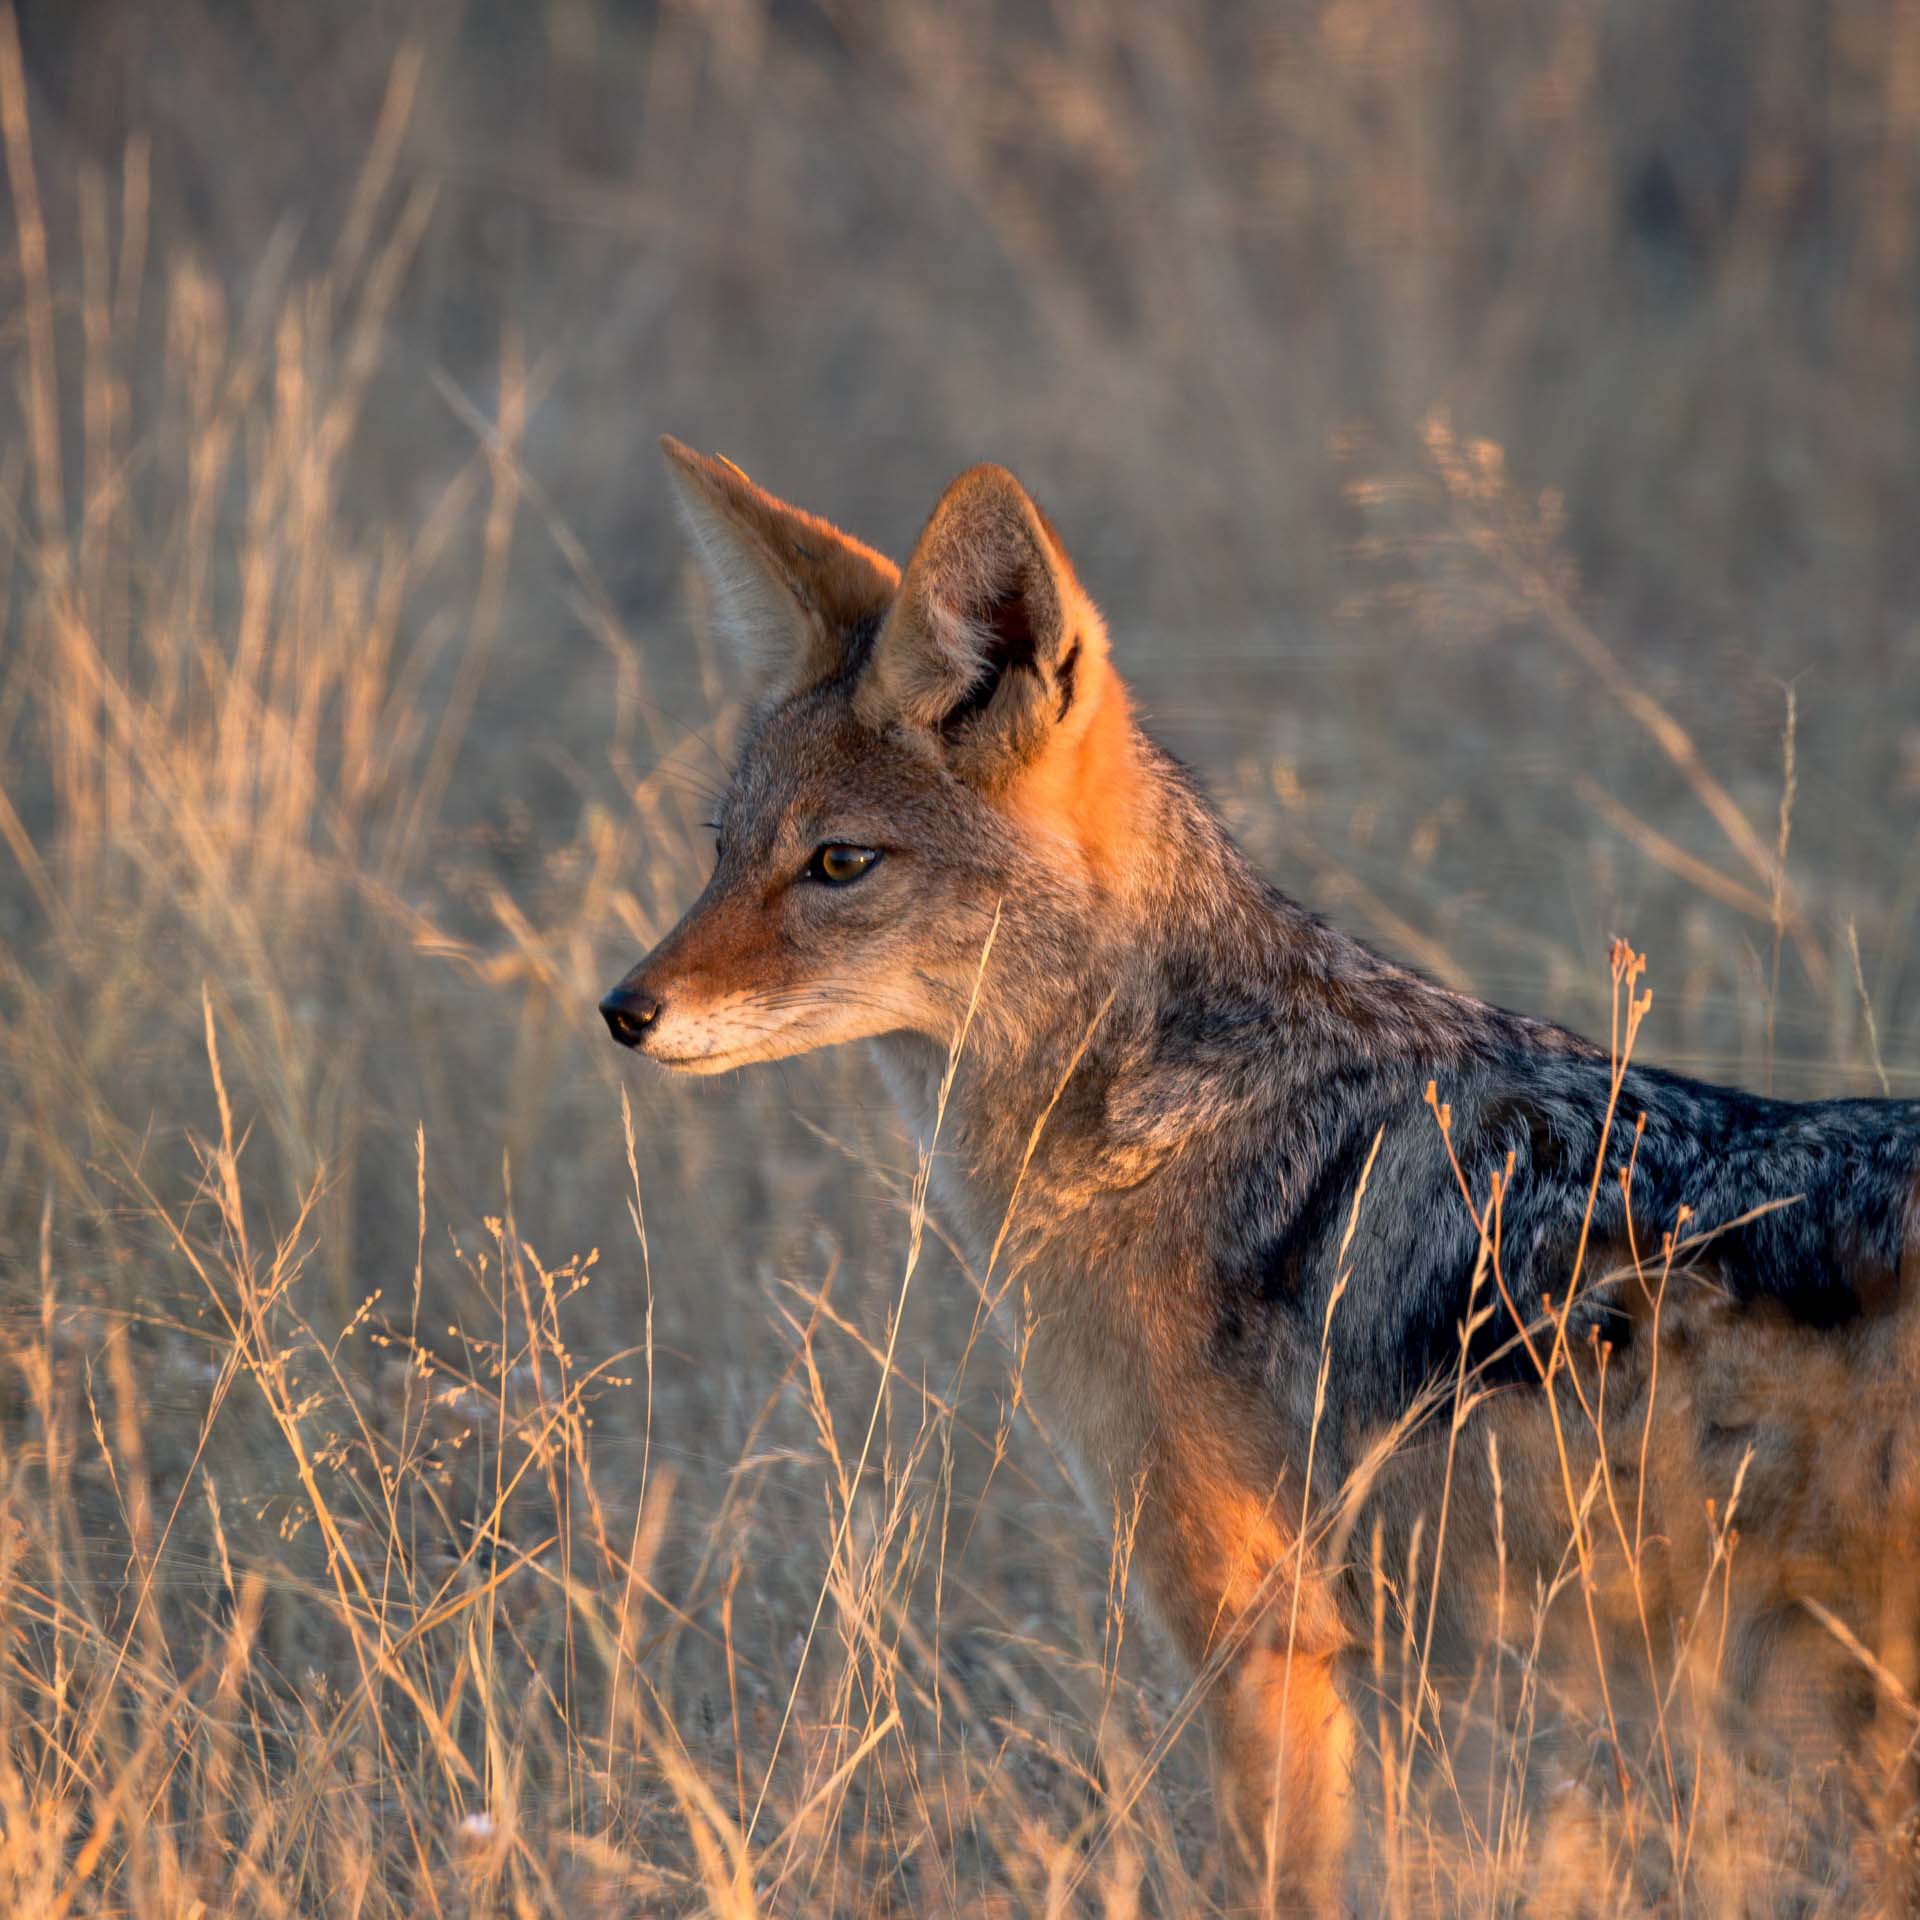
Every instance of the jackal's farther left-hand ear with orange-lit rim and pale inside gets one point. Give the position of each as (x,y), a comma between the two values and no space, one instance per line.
(790,590)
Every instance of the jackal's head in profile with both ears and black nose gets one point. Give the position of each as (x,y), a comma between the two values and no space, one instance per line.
(930,759)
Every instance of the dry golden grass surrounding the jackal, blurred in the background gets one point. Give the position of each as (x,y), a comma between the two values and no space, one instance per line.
(429,1483)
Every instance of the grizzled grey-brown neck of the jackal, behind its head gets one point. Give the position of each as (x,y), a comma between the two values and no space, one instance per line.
(1140,1009)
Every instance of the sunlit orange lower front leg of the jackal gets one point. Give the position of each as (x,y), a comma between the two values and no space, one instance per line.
(1284,1762)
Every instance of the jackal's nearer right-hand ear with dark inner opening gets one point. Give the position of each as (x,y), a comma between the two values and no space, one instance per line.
(992,642)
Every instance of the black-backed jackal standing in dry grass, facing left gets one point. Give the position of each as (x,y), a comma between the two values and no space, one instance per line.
(942,761)
